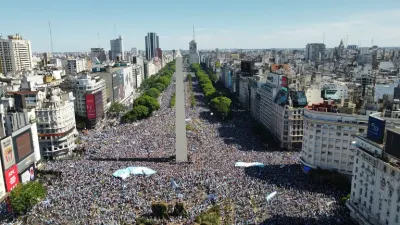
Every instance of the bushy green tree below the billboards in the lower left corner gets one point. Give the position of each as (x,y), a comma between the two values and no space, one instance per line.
(24,196)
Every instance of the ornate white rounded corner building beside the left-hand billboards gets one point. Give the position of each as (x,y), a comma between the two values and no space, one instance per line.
(56,123)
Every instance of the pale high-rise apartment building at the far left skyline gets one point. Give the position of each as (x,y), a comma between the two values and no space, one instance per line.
(15,54)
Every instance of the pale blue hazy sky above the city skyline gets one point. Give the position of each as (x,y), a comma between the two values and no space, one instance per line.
(78,25)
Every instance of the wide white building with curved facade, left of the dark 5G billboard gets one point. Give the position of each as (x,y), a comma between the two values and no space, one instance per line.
(327,138)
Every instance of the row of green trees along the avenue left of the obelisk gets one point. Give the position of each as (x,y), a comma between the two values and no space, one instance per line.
(151,89)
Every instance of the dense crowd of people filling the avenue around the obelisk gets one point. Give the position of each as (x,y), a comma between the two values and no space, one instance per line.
(87,193)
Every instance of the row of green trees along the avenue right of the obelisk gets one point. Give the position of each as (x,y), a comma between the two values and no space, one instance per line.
(219,103)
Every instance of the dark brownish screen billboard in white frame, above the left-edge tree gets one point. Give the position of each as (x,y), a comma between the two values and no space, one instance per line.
(23,145)
